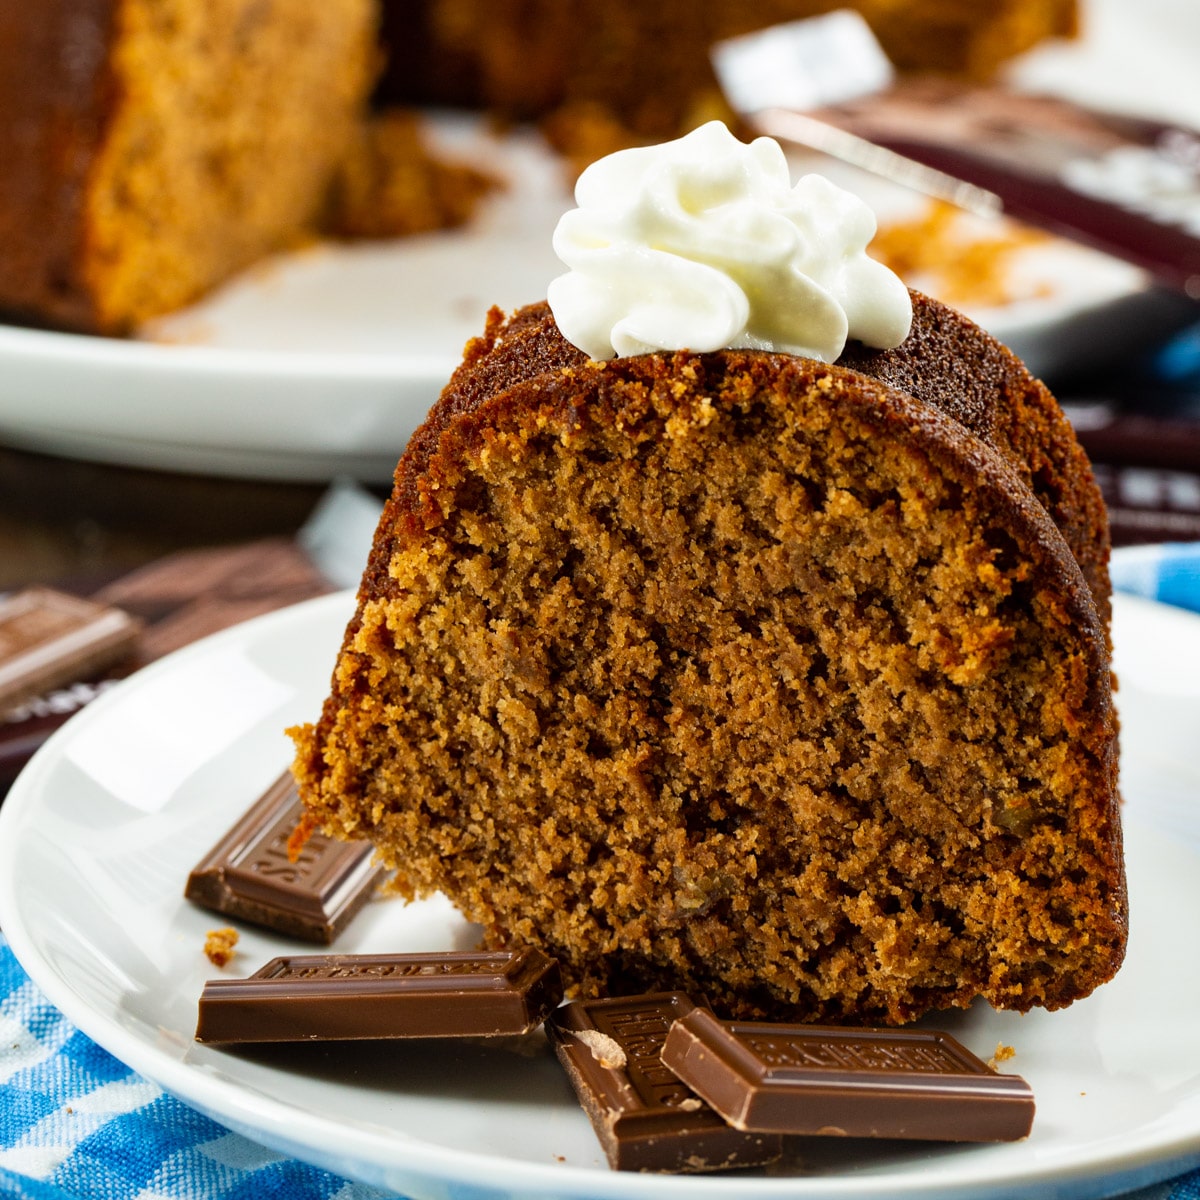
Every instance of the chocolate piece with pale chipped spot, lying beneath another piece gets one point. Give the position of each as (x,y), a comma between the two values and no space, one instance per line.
(645,1118)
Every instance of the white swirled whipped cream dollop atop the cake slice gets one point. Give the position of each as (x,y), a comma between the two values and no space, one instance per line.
(704,244)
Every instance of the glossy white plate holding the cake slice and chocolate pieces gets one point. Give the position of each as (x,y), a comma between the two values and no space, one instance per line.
(98,836)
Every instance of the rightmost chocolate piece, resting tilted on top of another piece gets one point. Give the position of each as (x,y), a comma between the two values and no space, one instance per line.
(811,1079)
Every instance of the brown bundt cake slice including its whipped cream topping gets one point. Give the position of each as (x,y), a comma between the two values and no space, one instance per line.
(704,663)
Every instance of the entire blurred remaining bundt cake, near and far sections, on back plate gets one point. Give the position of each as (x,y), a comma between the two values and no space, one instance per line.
(154,148)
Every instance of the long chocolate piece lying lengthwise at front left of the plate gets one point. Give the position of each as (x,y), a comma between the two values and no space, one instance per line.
(335,998)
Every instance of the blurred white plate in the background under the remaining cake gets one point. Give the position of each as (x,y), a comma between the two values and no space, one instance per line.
(321,364)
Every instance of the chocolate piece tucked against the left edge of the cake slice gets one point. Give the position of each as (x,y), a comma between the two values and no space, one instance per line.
(249,874)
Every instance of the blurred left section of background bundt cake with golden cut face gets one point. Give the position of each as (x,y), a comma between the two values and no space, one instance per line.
(153,148)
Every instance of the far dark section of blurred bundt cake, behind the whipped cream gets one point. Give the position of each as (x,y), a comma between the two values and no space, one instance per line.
(646,62)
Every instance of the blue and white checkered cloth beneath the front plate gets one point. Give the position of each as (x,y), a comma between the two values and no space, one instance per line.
(75,1123)
